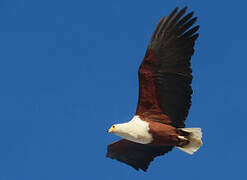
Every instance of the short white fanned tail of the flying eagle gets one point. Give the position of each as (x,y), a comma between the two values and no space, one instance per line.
(194,138)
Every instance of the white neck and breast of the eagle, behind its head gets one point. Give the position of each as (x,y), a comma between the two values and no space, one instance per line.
(135,130)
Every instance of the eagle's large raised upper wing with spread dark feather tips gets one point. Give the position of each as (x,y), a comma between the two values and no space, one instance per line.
(165,74)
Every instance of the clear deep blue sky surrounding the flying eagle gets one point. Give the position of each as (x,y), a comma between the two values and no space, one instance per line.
(68,70)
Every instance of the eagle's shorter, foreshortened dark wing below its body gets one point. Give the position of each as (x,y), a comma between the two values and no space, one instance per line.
(136,155)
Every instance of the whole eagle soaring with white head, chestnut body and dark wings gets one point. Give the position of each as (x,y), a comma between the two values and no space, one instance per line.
(164,100)
